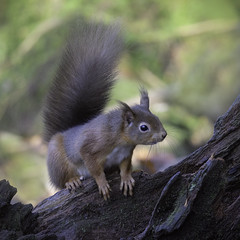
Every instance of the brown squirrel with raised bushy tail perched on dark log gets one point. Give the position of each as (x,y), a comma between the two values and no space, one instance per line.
(80,137)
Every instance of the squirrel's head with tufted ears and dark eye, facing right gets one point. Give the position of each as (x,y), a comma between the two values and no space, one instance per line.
(140,125)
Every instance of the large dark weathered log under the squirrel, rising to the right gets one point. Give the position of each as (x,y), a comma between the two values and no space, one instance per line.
(199,198)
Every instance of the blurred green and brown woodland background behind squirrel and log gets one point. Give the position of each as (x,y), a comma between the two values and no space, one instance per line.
(185,52)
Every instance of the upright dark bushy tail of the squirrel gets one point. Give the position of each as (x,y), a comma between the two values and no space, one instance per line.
(84,78)
